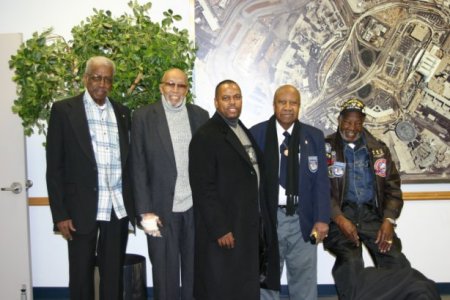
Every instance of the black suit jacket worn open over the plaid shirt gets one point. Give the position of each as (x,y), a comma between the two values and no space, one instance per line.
(72,177)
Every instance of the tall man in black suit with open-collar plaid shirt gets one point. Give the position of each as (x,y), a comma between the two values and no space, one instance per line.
(87,181)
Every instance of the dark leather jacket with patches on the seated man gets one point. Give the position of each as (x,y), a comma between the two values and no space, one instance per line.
(388,198)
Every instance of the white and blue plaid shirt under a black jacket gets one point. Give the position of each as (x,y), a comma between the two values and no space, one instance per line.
(105,142)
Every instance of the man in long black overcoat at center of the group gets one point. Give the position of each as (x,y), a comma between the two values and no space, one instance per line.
(224,169)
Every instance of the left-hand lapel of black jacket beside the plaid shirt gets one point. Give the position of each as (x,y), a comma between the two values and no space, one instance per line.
(78,120)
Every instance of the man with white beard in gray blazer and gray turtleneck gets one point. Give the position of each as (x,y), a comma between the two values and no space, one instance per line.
(160,137)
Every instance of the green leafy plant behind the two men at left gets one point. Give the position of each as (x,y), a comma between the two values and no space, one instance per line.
(48,68)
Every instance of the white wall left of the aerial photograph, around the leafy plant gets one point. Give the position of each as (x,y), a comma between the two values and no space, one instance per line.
(49,251)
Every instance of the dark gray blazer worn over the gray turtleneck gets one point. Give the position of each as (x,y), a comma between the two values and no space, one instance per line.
(154,171)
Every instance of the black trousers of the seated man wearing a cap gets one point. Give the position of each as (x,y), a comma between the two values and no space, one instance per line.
(349,261)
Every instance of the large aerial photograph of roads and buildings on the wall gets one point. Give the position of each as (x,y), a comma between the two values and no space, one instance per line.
(393,55)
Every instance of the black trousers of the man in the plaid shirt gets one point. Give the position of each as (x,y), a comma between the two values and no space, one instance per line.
(104,246)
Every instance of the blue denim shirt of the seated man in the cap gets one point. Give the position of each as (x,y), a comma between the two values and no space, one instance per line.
(359,176)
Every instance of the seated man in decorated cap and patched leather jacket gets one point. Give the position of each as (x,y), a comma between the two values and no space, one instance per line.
(366,199)
